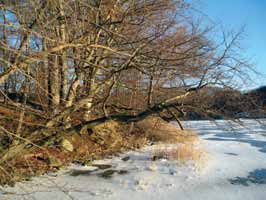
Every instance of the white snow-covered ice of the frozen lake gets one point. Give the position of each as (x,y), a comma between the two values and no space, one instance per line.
(235,169)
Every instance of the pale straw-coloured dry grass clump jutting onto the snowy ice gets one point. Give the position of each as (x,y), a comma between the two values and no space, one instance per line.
(175,144)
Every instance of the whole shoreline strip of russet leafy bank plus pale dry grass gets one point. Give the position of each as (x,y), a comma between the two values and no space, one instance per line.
(109,138)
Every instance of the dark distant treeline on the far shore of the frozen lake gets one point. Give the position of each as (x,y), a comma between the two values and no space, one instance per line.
(220,103)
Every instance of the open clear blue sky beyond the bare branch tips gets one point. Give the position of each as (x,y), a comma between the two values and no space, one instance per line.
(233,14)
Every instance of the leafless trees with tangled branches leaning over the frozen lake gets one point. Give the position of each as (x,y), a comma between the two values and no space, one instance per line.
(111,59)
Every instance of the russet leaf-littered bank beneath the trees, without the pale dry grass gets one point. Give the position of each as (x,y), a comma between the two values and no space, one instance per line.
(105,139)
